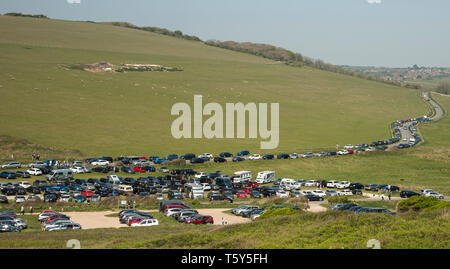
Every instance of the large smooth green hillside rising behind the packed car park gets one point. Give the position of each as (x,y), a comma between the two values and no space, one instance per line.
(130,113)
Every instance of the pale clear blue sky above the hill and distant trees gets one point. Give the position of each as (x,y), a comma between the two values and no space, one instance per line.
(394,33)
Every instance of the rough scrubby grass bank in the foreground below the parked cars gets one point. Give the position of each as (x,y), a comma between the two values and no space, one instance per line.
(307,230)
